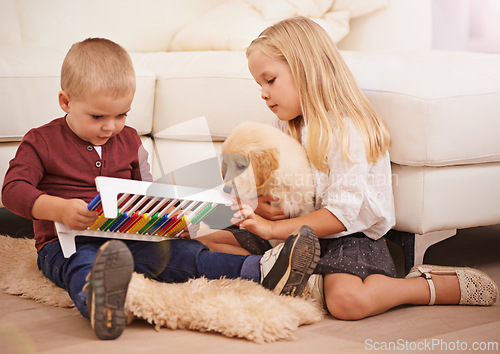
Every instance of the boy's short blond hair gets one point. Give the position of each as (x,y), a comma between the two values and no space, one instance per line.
(97,65)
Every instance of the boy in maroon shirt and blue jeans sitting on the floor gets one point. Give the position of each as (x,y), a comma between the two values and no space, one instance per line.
(51,178)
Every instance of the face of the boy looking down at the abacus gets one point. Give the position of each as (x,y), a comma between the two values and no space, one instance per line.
(97,117)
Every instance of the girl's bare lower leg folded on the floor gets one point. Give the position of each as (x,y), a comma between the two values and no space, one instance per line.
(349,297)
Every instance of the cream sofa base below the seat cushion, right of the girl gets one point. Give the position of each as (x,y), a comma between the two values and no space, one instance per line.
(429,199)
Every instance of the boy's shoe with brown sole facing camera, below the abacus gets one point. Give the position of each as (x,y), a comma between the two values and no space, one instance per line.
(107,288)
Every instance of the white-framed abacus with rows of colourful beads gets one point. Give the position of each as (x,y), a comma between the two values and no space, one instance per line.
(143,211)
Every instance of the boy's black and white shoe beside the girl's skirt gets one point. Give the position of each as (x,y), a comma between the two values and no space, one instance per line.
(286,268)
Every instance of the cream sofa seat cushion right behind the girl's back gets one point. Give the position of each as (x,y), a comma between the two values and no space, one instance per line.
(442,107)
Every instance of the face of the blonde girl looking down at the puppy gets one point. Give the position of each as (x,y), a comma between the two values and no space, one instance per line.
(278,88)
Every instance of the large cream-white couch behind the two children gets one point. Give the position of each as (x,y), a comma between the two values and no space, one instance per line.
(442,107)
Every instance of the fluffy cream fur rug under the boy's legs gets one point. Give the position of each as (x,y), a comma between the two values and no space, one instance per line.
(234,308)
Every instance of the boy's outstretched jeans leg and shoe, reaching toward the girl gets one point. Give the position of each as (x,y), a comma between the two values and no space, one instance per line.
(179,260)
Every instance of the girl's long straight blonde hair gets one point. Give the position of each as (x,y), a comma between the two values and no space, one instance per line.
(326,87)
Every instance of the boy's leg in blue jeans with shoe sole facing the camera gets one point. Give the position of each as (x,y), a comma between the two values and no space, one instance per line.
(96,278)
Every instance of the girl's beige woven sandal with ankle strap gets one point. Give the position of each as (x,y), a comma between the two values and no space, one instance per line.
(476,288)
